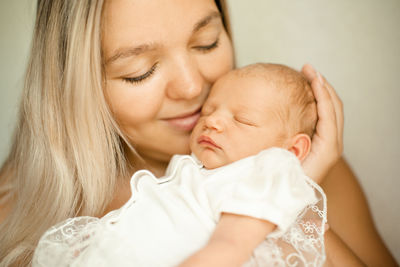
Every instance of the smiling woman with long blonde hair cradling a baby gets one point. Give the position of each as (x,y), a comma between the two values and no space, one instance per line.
(117,86)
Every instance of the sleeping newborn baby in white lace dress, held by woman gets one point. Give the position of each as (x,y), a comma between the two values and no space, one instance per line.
(251,197)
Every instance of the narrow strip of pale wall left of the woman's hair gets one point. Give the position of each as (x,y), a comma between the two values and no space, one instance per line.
(16,26)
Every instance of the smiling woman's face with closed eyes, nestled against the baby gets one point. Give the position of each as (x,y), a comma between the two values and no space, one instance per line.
(161,58)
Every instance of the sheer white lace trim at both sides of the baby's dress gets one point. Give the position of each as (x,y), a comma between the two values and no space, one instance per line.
(301,245)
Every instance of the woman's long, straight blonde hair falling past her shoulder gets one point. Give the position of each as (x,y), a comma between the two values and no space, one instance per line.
(67,151)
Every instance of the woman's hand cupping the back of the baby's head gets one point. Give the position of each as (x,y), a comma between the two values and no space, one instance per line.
(327,142)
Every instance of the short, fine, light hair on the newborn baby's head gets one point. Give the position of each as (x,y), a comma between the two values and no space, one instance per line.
(297,109)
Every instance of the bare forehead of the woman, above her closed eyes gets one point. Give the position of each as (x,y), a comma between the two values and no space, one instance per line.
(128,23)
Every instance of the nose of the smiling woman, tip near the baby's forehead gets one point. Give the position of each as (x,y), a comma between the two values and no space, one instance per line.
(186,80)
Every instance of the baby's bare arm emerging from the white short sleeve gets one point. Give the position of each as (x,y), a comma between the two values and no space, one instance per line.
(232,243)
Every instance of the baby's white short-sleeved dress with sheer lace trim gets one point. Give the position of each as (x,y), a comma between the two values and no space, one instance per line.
(168,219)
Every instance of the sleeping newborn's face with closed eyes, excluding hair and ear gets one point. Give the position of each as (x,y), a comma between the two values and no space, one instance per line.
(238,119)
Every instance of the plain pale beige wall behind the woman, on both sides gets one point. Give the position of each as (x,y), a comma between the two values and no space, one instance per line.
(355,44)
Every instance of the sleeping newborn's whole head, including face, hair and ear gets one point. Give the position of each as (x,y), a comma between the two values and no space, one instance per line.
(254,108)
